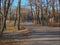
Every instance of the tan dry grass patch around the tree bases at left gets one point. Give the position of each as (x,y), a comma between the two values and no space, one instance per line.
(12,29)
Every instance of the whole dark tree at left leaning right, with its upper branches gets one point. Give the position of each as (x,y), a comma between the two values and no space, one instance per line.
(6,4)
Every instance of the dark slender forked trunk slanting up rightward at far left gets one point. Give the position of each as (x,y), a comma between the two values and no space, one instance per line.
(5,17)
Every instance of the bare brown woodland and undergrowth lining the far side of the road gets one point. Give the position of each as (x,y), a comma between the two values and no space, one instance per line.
(43,13)
